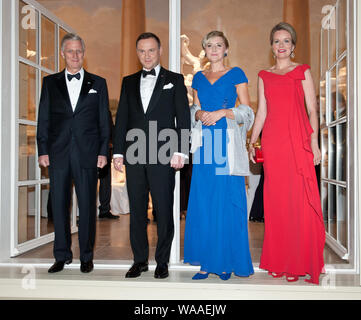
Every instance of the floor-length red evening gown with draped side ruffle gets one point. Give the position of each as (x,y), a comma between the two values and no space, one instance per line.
(294,235)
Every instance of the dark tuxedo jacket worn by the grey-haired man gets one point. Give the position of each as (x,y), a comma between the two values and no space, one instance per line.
(88,125)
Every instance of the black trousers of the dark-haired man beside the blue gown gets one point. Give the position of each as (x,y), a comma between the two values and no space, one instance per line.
(160,181)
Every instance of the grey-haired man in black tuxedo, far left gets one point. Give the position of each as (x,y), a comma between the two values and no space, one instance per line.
(73,136)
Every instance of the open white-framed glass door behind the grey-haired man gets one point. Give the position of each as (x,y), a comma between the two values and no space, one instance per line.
(37,57)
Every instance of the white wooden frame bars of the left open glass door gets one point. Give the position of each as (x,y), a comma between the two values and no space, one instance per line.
(16,248)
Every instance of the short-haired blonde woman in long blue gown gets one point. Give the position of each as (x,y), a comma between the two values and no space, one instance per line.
(216,232)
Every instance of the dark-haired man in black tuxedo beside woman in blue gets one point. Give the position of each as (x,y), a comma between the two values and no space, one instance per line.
(151,100)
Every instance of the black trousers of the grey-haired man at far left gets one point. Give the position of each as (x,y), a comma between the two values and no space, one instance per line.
(85,182)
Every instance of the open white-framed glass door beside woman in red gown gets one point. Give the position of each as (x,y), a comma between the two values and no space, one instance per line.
(334,131)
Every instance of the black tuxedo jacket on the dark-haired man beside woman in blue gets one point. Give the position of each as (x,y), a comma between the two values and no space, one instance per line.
(168,107)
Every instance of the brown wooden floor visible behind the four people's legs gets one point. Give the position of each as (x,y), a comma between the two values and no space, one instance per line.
(112,242)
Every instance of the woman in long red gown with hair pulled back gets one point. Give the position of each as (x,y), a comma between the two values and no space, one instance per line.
(294,235)
